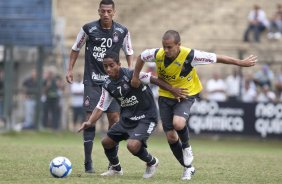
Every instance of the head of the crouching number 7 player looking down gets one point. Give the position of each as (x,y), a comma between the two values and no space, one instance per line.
(111,67)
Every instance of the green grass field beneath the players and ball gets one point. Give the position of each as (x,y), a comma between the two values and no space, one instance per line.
(25,158)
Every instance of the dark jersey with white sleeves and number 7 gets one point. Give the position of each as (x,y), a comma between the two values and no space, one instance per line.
(135,103)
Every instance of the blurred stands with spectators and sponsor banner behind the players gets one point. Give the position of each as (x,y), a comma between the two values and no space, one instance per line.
(36,37)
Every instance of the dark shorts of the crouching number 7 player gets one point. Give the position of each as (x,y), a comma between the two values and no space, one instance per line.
(141,132)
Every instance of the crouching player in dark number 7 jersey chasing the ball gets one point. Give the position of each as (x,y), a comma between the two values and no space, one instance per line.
(138,117)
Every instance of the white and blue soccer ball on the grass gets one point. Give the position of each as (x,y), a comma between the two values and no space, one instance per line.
(60,167)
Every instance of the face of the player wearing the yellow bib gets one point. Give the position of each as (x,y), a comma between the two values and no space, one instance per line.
(171,48)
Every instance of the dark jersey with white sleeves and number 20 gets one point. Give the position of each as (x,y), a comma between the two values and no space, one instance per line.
(98,42)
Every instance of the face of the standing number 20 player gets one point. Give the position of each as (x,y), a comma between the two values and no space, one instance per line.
(106,13)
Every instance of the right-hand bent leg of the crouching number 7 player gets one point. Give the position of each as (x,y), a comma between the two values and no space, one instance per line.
(136,144)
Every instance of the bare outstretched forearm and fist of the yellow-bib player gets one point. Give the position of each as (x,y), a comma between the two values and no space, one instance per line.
(247,62)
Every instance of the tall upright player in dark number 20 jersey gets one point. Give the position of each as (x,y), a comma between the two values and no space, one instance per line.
(100,36)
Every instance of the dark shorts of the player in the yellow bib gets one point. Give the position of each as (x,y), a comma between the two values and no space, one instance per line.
(169,107)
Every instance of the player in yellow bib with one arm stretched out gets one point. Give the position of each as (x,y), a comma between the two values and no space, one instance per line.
(176,66)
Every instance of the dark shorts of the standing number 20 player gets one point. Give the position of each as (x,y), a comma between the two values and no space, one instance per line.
(92,96)
